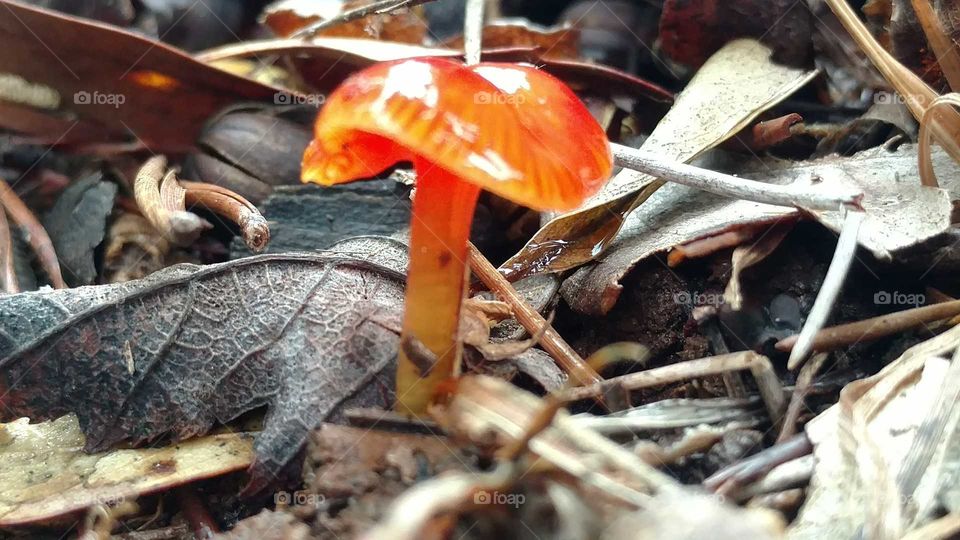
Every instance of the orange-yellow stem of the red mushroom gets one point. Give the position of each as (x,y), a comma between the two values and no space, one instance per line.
(443,208)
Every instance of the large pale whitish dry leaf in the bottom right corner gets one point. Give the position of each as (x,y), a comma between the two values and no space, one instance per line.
(862,443)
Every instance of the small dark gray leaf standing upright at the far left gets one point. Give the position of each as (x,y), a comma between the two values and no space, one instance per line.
(76,225)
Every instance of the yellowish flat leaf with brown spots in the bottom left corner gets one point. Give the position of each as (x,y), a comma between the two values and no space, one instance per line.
(47,475)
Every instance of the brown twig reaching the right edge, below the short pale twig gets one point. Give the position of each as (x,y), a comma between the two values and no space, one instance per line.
(874,328)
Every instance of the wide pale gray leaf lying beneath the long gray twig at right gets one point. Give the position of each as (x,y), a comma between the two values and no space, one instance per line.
(900,215)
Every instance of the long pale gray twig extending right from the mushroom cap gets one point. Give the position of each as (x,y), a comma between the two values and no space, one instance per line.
(811,197)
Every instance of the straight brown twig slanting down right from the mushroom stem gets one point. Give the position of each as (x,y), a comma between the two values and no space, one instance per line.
(531,320)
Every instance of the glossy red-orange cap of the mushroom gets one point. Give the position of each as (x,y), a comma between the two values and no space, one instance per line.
(510,129)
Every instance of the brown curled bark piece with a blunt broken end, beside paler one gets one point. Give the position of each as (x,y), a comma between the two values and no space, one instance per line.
(223,202)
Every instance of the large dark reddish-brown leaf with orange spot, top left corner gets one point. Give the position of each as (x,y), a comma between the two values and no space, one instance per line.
(166,95)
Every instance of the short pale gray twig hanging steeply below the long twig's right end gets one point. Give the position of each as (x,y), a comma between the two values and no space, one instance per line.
(839,267)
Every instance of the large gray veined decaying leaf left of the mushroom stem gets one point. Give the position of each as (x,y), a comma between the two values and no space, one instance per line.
(189,346)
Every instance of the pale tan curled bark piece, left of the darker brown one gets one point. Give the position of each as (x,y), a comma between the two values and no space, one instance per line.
(162,202)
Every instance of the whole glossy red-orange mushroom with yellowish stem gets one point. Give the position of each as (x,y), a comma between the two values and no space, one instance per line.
(506,128)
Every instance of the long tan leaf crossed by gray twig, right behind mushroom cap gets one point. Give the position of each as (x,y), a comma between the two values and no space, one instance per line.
(730,91)
